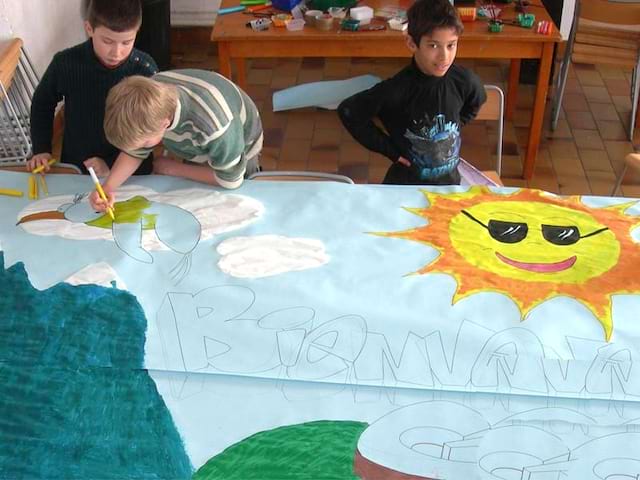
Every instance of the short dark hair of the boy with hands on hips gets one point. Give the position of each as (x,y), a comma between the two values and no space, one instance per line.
(424,16)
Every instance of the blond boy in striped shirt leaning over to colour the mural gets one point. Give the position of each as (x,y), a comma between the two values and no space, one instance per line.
(197,115)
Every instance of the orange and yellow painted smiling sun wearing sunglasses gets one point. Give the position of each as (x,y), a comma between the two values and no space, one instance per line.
(531,246)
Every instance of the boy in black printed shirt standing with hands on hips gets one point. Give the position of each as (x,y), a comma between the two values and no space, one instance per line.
(423,106)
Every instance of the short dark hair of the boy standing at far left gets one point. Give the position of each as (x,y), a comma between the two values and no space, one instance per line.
(116,15)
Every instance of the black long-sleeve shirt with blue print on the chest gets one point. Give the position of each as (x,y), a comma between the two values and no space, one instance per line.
(422,116)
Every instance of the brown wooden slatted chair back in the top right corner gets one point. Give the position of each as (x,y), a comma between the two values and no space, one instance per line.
(606,33)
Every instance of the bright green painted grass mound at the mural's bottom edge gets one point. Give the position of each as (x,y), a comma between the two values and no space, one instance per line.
(318,450)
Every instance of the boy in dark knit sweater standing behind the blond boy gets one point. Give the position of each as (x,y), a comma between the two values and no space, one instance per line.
(82,76)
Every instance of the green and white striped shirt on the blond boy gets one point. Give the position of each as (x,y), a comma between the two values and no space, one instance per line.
(215,122)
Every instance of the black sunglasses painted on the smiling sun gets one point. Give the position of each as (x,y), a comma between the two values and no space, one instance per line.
(514,232)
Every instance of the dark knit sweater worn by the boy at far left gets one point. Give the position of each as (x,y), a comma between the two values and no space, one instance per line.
(76,76)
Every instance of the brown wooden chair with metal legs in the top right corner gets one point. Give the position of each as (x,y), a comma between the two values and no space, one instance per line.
(607,33)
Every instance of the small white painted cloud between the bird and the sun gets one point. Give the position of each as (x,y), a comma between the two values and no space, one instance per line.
(267,255)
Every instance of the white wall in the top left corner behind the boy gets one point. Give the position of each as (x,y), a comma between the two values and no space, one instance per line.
(45,26)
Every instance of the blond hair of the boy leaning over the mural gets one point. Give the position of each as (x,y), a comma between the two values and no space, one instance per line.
(136,108)
